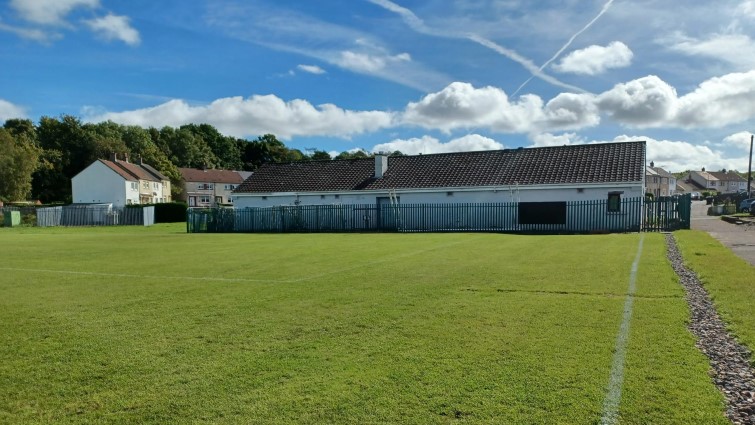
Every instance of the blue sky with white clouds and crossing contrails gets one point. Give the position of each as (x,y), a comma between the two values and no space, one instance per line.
(383,75)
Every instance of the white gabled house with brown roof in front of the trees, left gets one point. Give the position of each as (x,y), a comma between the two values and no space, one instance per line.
(120,182)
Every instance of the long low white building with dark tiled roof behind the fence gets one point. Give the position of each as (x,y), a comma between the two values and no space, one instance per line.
(610,171)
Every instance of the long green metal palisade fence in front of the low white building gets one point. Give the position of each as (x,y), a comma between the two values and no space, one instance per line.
(631,215)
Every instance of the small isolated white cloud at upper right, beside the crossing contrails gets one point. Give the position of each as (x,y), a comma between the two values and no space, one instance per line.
(595,60)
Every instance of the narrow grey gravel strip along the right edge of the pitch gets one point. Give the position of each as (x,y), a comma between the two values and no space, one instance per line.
(732,372)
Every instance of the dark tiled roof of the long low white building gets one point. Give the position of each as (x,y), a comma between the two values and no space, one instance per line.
(576,164)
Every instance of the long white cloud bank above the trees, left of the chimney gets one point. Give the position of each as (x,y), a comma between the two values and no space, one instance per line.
(258,115)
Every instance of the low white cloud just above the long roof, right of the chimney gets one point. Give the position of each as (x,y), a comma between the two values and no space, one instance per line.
(427,144)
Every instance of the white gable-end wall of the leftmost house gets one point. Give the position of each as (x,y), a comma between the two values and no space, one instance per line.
(99,184)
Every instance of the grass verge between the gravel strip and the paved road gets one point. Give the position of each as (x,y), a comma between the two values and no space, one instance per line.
(730,281)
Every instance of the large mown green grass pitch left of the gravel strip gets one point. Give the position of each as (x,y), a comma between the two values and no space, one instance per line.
(155,325)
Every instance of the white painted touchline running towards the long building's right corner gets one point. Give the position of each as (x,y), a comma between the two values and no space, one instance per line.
(613,392)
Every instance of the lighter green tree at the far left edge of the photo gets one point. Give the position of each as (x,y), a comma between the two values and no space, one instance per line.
(18,160)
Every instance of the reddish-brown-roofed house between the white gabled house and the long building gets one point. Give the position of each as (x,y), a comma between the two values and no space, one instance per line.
(210,188)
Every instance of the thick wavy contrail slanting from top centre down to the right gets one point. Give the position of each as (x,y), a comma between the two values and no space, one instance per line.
(419,26)
